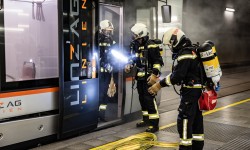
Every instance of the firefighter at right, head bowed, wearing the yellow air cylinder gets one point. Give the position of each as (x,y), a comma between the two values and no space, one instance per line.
(186,73)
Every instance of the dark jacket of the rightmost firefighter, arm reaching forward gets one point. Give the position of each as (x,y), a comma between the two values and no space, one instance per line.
(187,72)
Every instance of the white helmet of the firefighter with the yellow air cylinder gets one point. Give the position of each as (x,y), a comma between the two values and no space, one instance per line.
(173,37)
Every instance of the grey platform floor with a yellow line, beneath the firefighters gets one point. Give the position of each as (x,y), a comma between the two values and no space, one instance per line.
(226,128)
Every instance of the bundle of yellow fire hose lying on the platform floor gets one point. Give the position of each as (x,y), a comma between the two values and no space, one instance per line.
(141,141)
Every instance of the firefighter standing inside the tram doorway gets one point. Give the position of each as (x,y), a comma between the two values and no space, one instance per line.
(105,42)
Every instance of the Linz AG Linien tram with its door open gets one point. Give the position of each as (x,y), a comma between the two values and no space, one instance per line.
(49,83)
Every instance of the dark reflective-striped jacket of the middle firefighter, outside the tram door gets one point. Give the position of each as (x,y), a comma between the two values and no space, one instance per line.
(147,58)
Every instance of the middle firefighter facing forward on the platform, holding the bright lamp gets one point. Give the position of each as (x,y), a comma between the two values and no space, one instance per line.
(148,62)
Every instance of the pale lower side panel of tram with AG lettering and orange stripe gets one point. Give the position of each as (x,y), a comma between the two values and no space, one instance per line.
(22,119)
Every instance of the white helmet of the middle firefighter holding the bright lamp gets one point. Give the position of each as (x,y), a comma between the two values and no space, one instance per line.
(139,30)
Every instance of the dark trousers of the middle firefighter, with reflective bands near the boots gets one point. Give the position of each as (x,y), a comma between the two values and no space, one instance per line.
(148,102)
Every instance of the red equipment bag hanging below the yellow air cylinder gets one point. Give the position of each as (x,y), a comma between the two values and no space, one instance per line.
(208,100)
